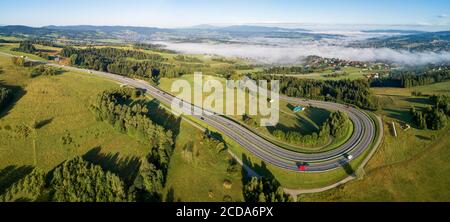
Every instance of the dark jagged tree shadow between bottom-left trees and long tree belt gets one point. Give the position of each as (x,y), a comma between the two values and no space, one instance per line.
(126,168)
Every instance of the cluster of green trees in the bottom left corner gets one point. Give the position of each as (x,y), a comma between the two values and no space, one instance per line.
(74,181)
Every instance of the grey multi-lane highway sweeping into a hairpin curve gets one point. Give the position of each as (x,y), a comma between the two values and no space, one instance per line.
(361,140)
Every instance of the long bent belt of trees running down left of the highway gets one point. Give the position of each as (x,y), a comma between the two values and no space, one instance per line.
(118,108)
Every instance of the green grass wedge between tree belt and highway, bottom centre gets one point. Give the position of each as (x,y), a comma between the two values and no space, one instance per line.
(199,177)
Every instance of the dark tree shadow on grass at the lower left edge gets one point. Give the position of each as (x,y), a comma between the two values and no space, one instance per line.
(12,174)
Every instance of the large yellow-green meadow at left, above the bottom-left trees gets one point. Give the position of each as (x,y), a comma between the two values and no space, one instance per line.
(66,126)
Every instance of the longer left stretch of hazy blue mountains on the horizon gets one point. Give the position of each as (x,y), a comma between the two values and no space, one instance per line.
(146,33)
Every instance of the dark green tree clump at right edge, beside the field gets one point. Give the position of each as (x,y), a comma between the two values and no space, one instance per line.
(433,117)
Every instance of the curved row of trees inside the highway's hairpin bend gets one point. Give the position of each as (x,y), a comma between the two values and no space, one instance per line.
(336,126)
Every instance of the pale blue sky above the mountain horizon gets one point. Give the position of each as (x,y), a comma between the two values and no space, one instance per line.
(177,13)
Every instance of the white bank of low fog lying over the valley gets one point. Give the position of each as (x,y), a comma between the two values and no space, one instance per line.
(294,53)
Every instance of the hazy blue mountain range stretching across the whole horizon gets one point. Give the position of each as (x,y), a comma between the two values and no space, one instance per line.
(411,40)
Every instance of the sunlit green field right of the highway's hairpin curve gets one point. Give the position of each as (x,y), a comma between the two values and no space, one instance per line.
(412,167)
